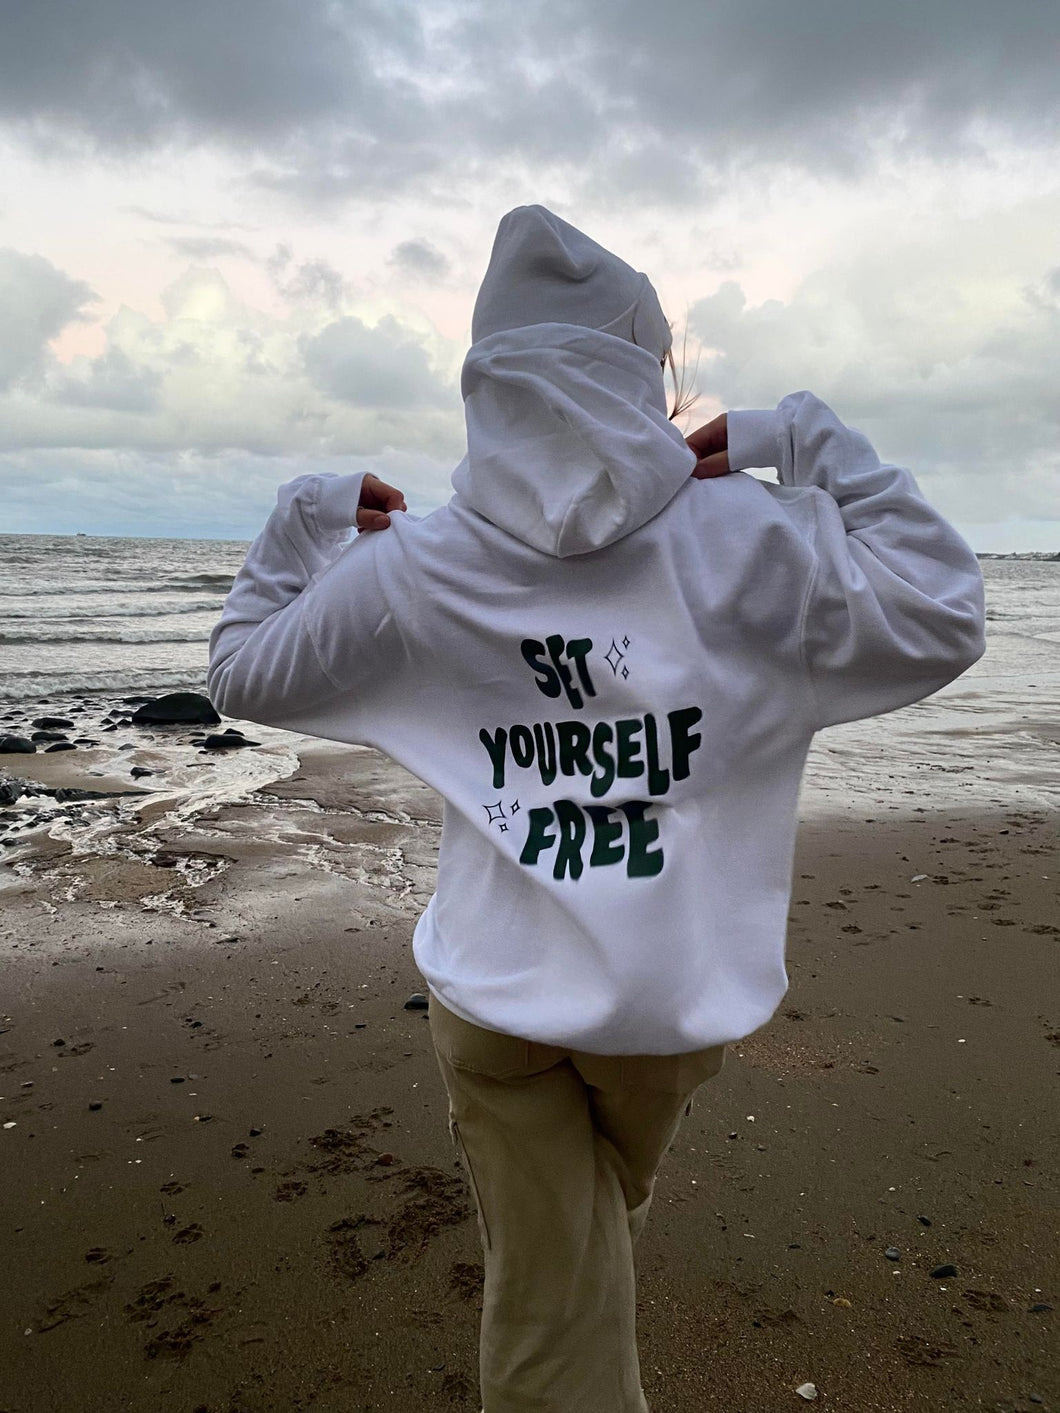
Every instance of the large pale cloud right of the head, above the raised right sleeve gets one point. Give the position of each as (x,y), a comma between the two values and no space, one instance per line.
(969,405)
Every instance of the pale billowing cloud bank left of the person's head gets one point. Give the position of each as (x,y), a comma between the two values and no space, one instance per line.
(216,375)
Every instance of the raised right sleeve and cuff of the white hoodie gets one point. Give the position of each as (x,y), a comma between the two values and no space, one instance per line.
(895,605)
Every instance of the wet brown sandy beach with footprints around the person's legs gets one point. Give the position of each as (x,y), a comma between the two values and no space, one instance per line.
(228,1185)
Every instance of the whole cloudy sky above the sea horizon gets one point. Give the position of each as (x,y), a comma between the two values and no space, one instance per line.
(241,240)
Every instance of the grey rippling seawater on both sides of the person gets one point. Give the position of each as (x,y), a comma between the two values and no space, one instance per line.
(86,615)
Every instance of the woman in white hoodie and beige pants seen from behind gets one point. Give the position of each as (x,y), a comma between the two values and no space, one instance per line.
(608,654)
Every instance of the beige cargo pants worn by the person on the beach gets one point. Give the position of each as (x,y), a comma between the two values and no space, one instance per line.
(562,1151)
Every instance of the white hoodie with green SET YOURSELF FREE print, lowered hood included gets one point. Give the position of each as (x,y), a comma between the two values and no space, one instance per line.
(611,673)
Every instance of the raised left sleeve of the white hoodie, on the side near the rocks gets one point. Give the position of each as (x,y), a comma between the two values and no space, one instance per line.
(276,654)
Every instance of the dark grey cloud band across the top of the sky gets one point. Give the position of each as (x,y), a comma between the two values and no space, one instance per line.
(336,100)
